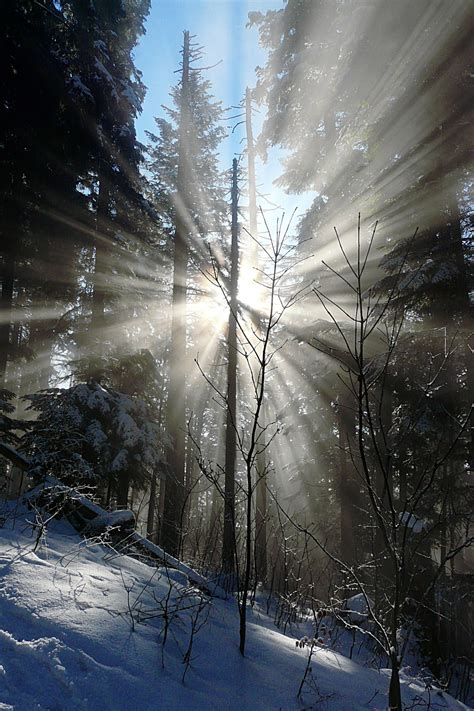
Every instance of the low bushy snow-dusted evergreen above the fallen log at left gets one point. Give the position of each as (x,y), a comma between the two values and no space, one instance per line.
(94,435)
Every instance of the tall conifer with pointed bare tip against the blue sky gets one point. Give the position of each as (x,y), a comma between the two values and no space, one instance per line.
(185,181)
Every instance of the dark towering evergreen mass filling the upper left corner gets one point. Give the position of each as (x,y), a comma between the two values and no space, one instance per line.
(71,95)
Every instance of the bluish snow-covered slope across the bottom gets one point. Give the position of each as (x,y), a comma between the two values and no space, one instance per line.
(82,628)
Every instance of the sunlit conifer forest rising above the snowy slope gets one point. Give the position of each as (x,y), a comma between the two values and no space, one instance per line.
(240,324)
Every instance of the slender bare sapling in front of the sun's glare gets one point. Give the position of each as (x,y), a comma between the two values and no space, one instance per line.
(256,350)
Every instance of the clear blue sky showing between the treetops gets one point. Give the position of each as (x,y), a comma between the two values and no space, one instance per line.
(220,28)
